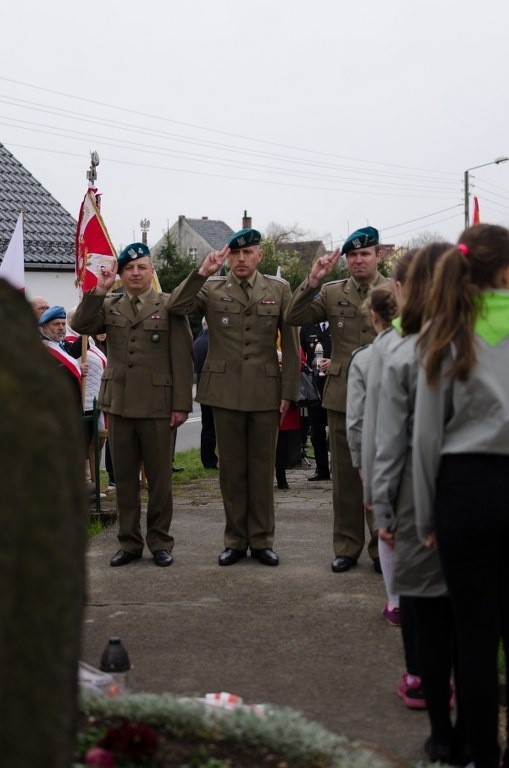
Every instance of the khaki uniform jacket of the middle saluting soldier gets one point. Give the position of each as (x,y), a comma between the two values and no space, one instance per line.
(241,371)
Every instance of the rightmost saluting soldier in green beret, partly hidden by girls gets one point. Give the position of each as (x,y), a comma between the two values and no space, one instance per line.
(339,302)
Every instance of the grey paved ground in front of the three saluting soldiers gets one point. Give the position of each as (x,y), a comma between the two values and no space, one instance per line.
(297,635)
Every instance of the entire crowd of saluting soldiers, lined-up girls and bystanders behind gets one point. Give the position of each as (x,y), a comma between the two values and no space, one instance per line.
(413,374)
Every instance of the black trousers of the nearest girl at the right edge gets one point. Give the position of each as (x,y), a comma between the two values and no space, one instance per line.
(472,528)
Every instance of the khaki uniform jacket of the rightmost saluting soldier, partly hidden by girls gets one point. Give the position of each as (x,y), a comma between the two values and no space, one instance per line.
(339,303)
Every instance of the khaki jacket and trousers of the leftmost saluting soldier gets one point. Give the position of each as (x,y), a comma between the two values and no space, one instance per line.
(149,374)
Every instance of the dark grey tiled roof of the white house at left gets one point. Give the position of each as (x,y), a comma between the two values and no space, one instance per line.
(49,230)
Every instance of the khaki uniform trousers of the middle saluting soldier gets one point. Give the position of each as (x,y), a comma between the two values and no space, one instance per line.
(246,442)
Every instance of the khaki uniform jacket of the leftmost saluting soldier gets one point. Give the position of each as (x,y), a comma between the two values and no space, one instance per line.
(149,372)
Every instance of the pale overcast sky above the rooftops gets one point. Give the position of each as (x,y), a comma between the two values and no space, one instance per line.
(327,114)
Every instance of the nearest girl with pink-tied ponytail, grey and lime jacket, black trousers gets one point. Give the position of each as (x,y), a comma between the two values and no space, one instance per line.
(461,464)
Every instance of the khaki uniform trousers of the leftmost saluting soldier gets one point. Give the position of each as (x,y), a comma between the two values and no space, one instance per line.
(133,442)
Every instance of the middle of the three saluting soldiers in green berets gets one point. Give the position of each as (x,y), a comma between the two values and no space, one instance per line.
(241,379)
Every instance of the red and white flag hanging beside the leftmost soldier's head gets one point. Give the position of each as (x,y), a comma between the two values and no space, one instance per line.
(93,245)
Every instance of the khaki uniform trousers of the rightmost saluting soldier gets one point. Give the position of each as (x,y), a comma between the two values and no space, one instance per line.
(347,497)
